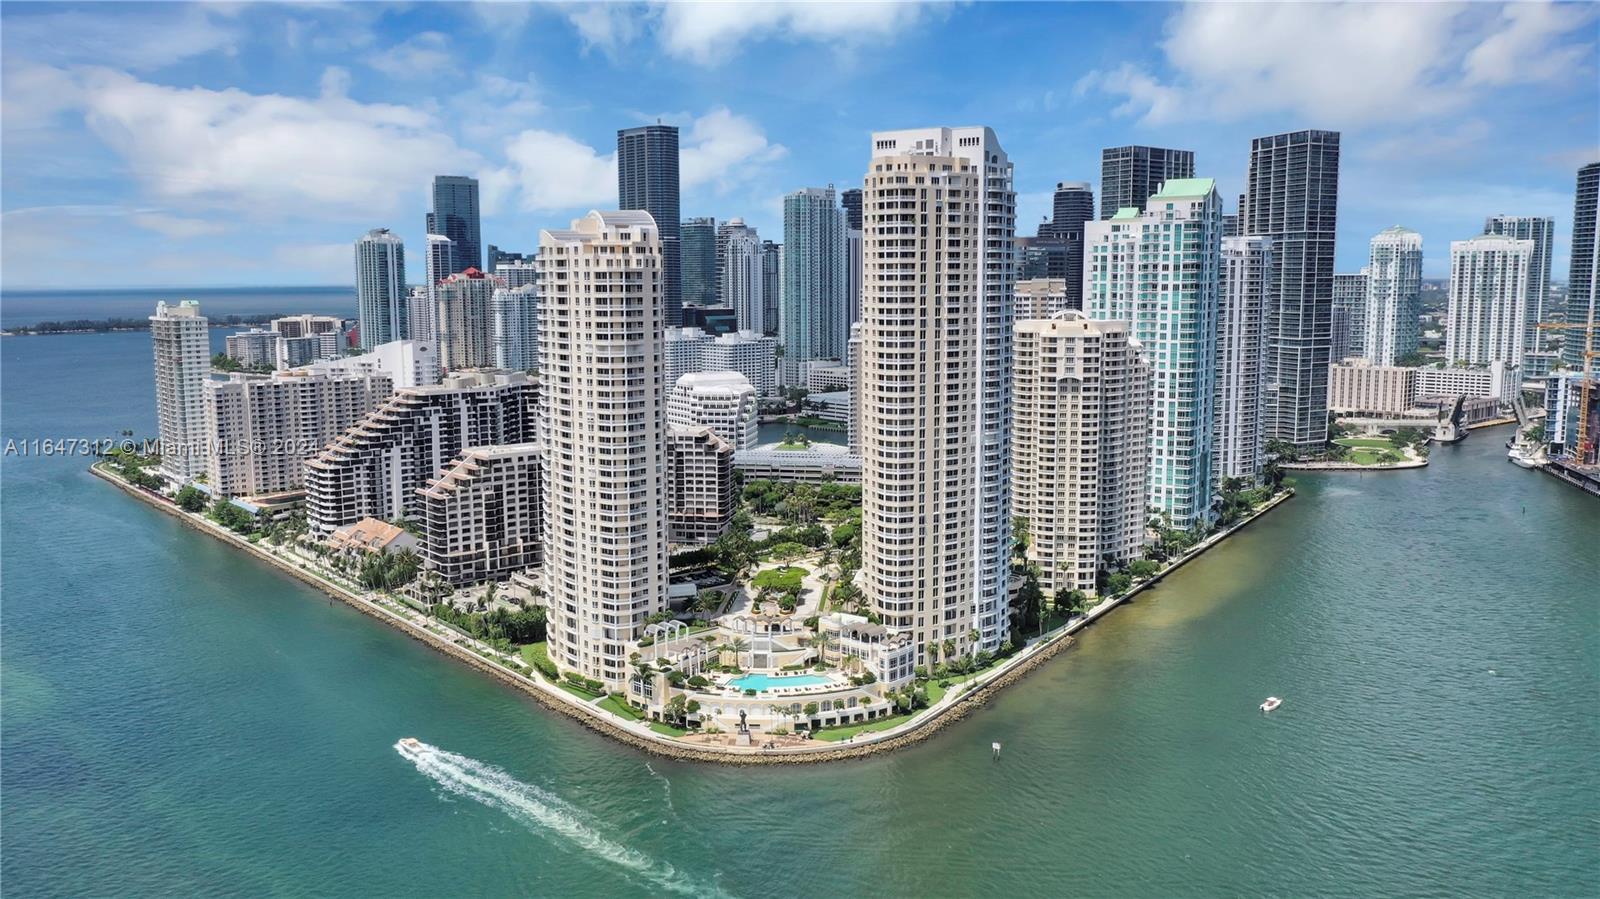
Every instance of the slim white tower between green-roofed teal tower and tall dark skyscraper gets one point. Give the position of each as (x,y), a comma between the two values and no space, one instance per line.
(1241,358)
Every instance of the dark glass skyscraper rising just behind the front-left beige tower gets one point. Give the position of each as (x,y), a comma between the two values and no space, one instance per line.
(647,178)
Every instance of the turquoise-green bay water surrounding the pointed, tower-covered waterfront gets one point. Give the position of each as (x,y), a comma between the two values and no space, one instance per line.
(180,721)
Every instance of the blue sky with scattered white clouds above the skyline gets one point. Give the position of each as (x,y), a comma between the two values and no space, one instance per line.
(250,145)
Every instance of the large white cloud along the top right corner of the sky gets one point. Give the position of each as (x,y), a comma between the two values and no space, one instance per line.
(1343,65)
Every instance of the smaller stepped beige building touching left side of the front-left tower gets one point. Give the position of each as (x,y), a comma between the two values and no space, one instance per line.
(484,516)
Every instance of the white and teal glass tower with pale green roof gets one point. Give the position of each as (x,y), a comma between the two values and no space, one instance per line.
(1161,271)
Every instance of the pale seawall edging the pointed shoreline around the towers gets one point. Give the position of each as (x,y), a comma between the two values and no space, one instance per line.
(922,727)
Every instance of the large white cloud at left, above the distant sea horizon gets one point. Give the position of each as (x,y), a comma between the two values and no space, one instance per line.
(268,154)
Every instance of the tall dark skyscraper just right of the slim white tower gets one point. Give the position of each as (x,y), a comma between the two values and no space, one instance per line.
(1294,198)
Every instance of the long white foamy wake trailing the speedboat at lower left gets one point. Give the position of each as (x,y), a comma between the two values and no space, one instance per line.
(543,813)
